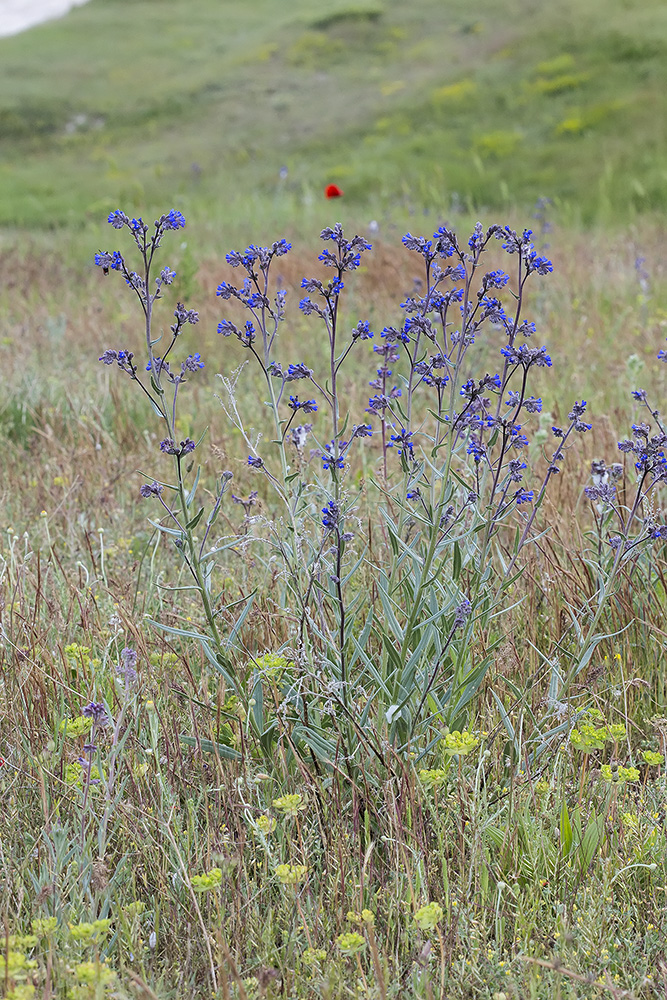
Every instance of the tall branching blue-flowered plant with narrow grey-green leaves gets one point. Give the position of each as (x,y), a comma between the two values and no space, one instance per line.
(380,645)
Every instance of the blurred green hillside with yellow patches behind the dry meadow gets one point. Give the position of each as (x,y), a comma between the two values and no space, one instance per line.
(426,104)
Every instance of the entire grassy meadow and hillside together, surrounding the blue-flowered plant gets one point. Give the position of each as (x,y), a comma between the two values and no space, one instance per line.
(522,855)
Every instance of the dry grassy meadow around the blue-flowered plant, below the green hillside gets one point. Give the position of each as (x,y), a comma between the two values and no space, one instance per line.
(520,879)
